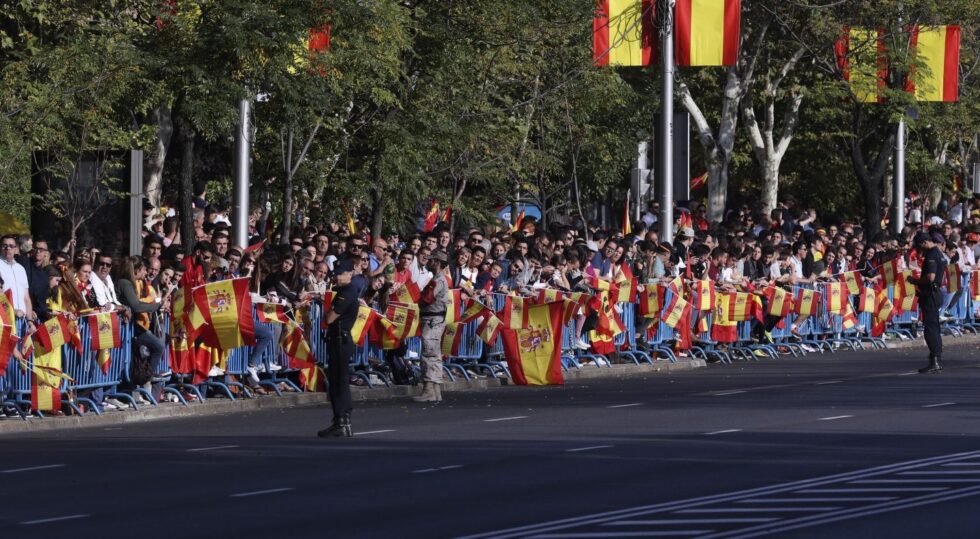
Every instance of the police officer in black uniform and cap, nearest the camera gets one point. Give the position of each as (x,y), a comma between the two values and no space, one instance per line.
(340,346)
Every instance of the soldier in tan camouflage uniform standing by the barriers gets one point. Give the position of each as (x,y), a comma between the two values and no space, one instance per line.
(432,310)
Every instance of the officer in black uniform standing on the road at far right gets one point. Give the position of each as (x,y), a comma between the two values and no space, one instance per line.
(930,296)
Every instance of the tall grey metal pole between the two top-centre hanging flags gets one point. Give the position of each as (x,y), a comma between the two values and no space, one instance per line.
(665,174)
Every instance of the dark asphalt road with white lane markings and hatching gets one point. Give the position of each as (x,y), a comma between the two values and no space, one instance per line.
(853,444)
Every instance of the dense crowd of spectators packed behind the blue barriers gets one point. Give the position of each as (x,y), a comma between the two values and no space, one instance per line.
(786,246)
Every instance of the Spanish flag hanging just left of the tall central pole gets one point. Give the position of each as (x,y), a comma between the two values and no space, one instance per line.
(623,33)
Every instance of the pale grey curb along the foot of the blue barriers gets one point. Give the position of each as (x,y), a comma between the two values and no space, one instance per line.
(221,406)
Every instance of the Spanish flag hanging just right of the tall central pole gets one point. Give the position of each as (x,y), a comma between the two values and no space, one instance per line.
(707,32)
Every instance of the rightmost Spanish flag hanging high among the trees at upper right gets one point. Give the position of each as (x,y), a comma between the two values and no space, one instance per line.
(936,77)
